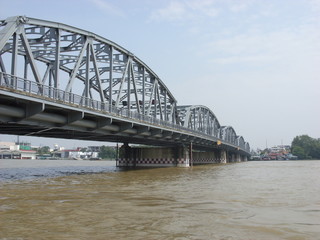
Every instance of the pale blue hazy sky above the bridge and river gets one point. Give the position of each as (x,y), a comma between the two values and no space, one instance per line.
(254,63)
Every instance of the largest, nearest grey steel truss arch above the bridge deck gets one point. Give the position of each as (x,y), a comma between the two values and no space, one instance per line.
(80,62)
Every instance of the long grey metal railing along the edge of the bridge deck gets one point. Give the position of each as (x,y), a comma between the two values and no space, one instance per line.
(61,96)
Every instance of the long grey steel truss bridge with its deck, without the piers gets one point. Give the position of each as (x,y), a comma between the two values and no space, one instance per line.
(64,82)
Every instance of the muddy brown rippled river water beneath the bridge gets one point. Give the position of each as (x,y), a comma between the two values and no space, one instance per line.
(43,199)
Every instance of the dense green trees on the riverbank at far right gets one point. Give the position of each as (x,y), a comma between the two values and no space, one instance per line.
(305,147)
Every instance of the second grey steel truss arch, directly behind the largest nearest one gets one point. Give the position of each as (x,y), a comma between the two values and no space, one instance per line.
(199,118)
